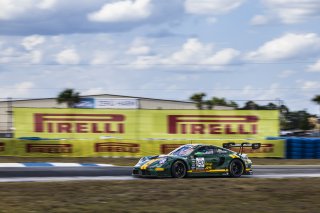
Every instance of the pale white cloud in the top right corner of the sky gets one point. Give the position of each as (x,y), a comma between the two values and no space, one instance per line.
(292,11)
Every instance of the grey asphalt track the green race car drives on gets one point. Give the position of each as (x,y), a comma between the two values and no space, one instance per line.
(14,174)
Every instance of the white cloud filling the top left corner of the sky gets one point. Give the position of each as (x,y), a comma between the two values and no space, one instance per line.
(11,9)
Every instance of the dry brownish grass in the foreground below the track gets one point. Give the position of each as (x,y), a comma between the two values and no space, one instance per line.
(164,195)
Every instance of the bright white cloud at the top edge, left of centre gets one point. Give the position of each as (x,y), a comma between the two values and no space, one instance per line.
(120,11)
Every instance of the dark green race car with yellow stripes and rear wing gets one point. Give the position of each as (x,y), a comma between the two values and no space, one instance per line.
(197,160)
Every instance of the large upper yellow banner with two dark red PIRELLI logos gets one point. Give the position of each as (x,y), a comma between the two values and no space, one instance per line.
(141,124)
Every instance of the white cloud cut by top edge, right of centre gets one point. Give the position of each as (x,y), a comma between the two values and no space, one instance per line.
(211,7)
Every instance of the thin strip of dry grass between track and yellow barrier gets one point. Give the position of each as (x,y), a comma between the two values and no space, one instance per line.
(133,161)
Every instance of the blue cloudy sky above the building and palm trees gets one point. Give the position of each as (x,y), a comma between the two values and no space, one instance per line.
(237,49)
